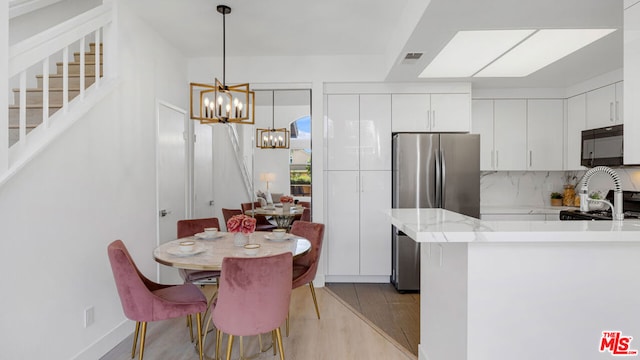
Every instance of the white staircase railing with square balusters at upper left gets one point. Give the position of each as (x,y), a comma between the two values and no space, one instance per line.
(35,56)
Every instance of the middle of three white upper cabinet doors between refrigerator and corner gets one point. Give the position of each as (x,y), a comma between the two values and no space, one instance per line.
(510,134)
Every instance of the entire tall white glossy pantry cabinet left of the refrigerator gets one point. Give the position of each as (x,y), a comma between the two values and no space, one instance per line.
(358,131)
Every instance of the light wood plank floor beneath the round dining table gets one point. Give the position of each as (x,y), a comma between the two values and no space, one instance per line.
(341,333)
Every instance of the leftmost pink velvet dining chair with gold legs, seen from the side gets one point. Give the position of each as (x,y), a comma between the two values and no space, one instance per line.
(144,300)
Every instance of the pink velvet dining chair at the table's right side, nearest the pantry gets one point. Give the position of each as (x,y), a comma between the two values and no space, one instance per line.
(305,267)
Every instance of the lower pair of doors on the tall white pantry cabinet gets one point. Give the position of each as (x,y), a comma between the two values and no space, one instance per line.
(358,231)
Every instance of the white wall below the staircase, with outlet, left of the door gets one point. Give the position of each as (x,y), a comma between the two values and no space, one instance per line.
(94,184)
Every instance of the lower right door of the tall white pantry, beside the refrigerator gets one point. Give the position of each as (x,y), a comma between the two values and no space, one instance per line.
(375,227)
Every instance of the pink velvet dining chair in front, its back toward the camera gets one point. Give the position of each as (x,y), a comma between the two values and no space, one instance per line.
(253,298)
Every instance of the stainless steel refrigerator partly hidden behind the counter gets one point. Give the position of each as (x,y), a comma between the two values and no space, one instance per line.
(431,170)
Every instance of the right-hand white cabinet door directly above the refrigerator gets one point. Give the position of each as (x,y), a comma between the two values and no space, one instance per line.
(450,112)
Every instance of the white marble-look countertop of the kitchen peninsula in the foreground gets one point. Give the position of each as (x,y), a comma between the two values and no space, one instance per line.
(439,225)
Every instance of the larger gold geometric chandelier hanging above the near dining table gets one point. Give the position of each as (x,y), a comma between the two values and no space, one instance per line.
(222,103)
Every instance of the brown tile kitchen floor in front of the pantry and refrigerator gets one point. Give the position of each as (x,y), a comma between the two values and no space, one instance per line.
(398,315)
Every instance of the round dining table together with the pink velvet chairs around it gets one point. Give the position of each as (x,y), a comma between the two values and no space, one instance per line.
(237,284)
